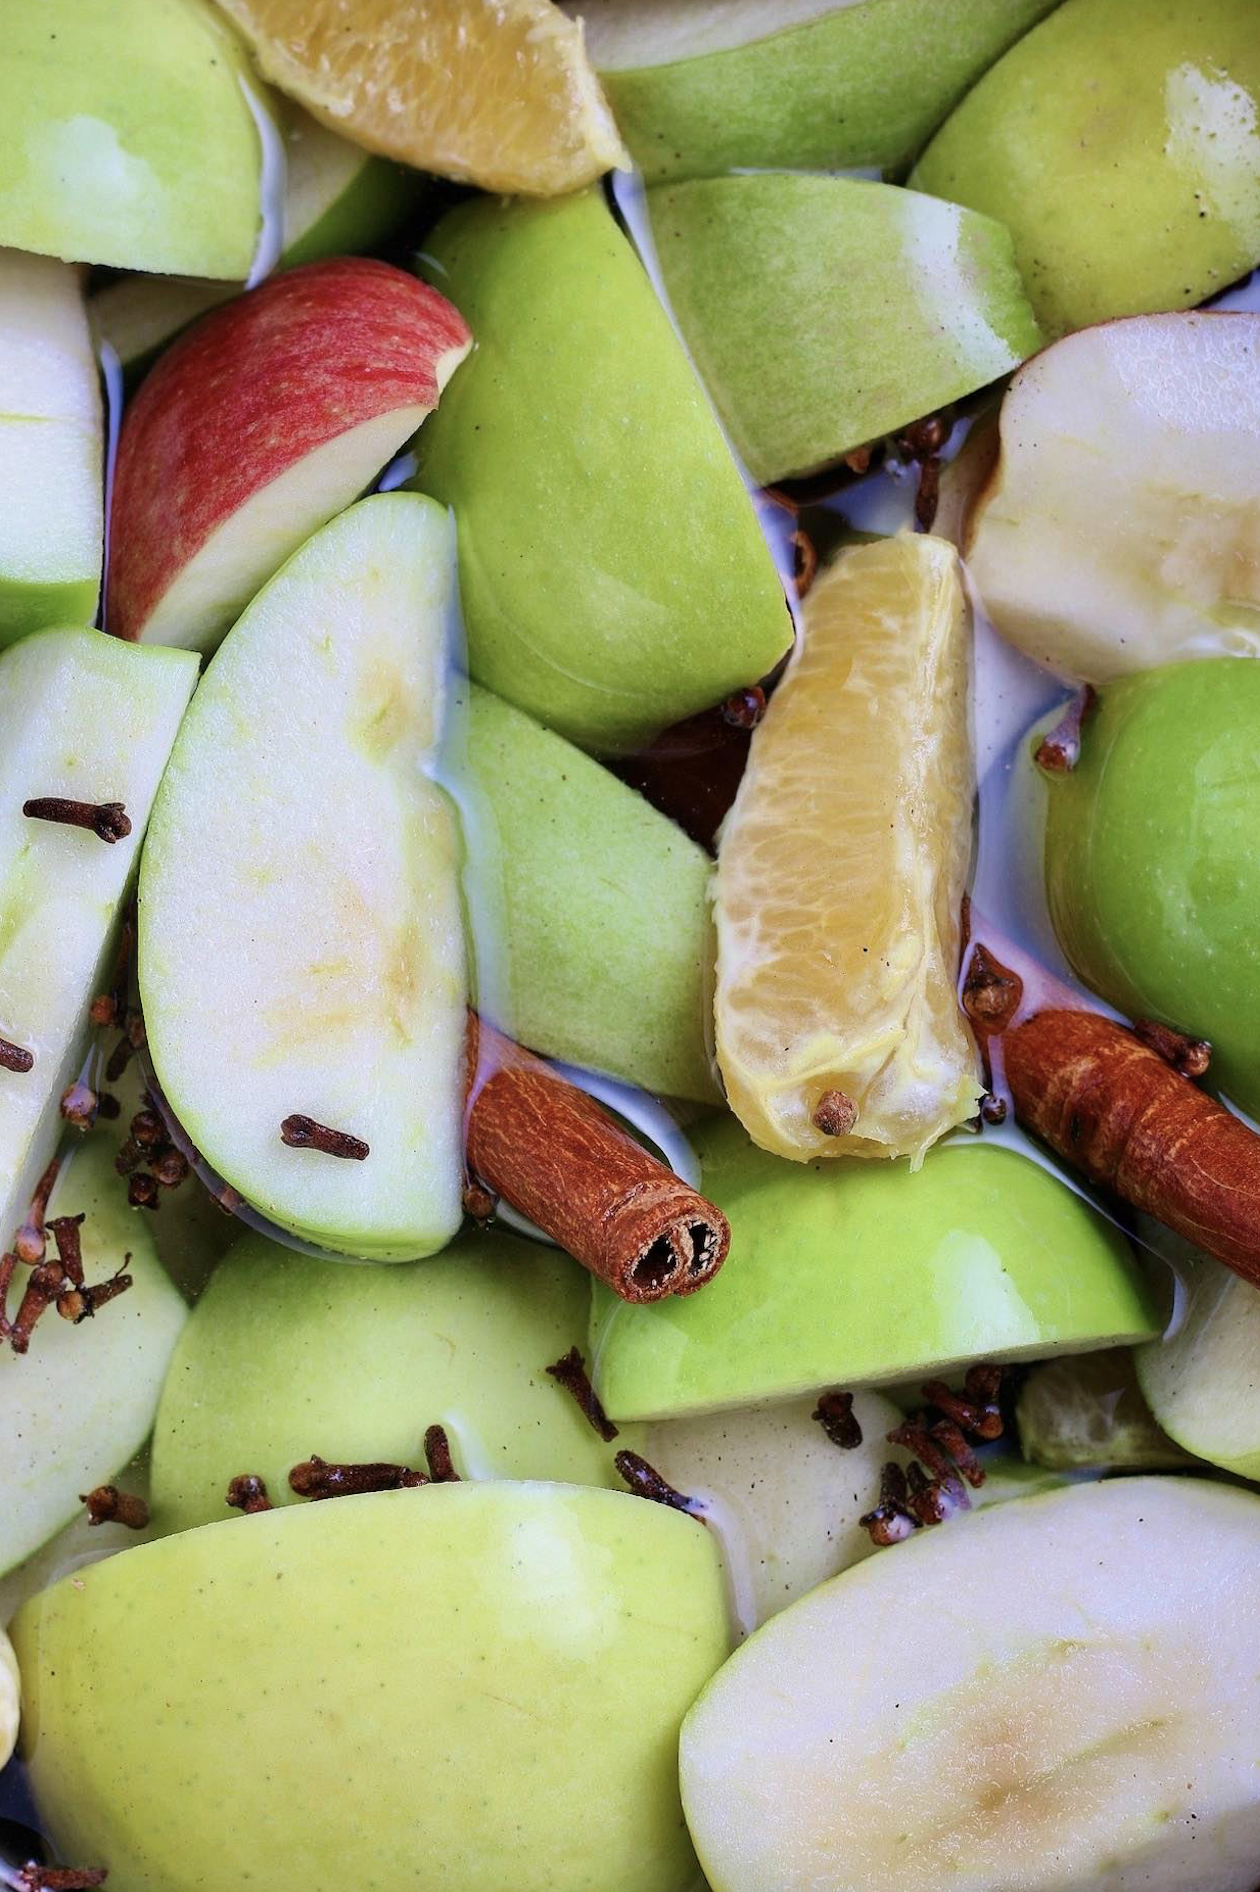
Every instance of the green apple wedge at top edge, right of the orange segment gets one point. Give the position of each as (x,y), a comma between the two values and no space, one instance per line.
(803,84)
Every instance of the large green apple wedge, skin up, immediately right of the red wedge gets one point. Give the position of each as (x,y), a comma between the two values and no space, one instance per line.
(621,582)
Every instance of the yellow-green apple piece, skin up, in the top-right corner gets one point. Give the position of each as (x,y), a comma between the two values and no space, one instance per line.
(1119,147)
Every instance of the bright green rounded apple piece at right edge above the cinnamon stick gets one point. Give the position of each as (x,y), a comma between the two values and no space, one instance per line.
(1151,862)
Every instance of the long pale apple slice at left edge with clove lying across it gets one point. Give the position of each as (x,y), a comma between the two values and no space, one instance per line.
(92,722)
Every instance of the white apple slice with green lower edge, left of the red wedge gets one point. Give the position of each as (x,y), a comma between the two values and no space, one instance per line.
(52,472)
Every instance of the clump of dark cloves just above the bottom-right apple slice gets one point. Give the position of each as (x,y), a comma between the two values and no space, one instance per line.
(936,1482)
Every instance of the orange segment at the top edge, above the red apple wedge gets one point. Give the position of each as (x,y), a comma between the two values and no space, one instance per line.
(491,92)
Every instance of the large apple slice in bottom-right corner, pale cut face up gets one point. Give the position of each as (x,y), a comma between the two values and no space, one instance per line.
(1032,1711)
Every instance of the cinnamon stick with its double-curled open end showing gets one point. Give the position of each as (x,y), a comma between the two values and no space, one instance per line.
(557,1157)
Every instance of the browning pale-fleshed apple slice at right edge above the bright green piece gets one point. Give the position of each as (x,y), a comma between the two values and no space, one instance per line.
(1166,408)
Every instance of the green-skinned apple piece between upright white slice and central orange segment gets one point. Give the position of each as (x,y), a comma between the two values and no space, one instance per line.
(604,926)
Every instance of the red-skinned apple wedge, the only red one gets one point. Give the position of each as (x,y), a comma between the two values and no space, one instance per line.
(256,429)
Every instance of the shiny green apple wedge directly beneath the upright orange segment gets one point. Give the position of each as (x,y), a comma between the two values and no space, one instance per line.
(860,1274)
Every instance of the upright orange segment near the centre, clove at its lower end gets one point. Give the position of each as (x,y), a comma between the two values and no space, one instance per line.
(843,867)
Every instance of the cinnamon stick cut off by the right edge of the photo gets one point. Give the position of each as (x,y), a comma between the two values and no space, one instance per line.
(1117,1112)
